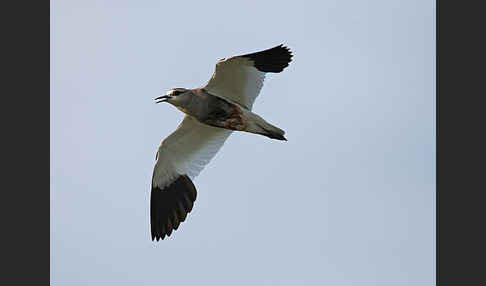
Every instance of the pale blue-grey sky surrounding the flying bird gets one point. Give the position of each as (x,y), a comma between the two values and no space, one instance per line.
(349,199)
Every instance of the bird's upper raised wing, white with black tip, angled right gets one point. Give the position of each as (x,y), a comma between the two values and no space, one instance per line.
(240,78)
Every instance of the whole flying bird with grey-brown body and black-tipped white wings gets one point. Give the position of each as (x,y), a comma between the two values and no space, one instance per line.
(213,112)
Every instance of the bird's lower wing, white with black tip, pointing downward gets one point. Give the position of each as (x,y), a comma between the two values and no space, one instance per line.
(180,158)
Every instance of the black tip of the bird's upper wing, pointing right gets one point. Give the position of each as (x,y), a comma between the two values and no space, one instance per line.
(271,60)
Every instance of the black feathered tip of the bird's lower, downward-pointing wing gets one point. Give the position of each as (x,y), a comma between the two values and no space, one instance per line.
(169,206)
